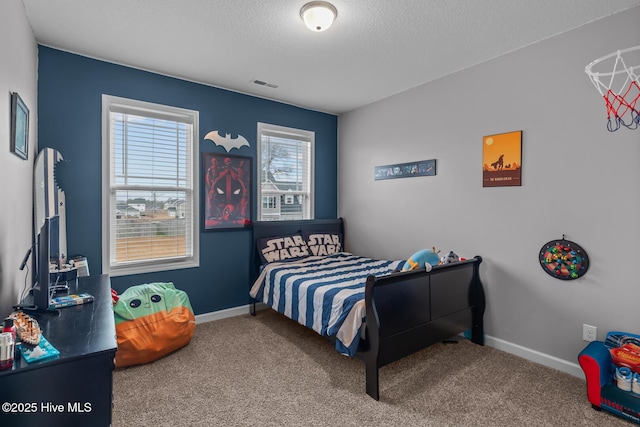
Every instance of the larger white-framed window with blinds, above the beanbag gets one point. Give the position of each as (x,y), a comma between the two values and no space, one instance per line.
(150,190)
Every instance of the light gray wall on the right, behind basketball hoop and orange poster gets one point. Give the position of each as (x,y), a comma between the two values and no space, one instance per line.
(578,179)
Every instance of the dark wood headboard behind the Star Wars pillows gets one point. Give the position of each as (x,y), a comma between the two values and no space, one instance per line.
(262,229)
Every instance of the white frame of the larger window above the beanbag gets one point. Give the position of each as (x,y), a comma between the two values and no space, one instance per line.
(148,109)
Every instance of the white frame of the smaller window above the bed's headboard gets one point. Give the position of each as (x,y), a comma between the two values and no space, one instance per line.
(294,134)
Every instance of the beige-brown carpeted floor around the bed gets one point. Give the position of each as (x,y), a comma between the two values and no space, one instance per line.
(269,371)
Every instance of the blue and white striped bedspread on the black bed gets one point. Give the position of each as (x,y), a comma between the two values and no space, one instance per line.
(325,294)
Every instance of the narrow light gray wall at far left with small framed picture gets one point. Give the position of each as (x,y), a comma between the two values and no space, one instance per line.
(18,65)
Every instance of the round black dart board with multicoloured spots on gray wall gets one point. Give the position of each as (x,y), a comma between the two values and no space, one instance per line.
(564,259)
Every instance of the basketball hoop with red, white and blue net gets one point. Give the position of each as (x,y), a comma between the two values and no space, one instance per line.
(619,87)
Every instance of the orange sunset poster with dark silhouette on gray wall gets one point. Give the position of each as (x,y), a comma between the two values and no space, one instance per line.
(502,160)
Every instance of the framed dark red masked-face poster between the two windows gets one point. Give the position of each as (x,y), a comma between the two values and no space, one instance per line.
(227,191)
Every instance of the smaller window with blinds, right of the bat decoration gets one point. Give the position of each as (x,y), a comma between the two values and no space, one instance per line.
(286,173)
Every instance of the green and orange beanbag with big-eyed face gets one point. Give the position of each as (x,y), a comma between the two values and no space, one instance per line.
(152,320)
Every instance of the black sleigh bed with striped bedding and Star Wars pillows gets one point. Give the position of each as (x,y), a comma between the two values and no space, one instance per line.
(365,306)
